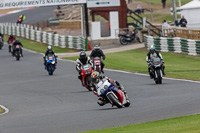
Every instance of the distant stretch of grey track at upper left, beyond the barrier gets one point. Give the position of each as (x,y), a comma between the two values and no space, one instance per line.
(34,15)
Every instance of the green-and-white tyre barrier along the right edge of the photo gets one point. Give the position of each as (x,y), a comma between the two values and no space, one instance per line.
(176,44)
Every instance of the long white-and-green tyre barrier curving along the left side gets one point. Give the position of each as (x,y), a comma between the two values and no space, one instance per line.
(36,34)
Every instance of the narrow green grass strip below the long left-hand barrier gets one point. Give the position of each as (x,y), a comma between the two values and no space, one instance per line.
(40,47)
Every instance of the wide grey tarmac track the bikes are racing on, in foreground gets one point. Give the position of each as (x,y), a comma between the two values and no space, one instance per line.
(39,103)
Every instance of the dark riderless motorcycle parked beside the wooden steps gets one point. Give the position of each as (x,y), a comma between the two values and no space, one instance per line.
(129,37)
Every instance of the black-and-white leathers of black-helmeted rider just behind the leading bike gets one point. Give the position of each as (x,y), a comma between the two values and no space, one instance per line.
(80,62)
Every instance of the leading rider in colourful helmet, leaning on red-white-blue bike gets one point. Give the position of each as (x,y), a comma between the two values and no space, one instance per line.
(96,78)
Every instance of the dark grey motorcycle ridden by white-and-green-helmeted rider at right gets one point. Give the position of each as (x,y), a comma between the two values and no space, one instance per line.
(156,70)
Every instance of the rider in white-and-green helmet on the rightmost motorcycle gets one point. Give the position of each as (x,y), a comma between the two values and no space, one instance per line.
(154,54)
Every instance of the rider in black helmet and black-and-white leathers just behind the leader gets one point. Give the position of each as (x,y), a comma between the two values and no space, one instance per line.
(82,60)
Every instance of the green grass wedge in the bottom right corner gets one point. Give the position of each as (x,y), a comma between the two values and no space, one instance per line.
(184,124)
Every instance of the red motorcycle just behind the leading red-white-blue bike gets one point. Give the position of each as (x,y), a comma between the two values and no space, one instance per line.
(86,71)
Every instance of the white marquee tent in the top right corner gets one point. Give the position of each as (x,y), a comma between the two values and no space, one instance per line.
(191,12)
